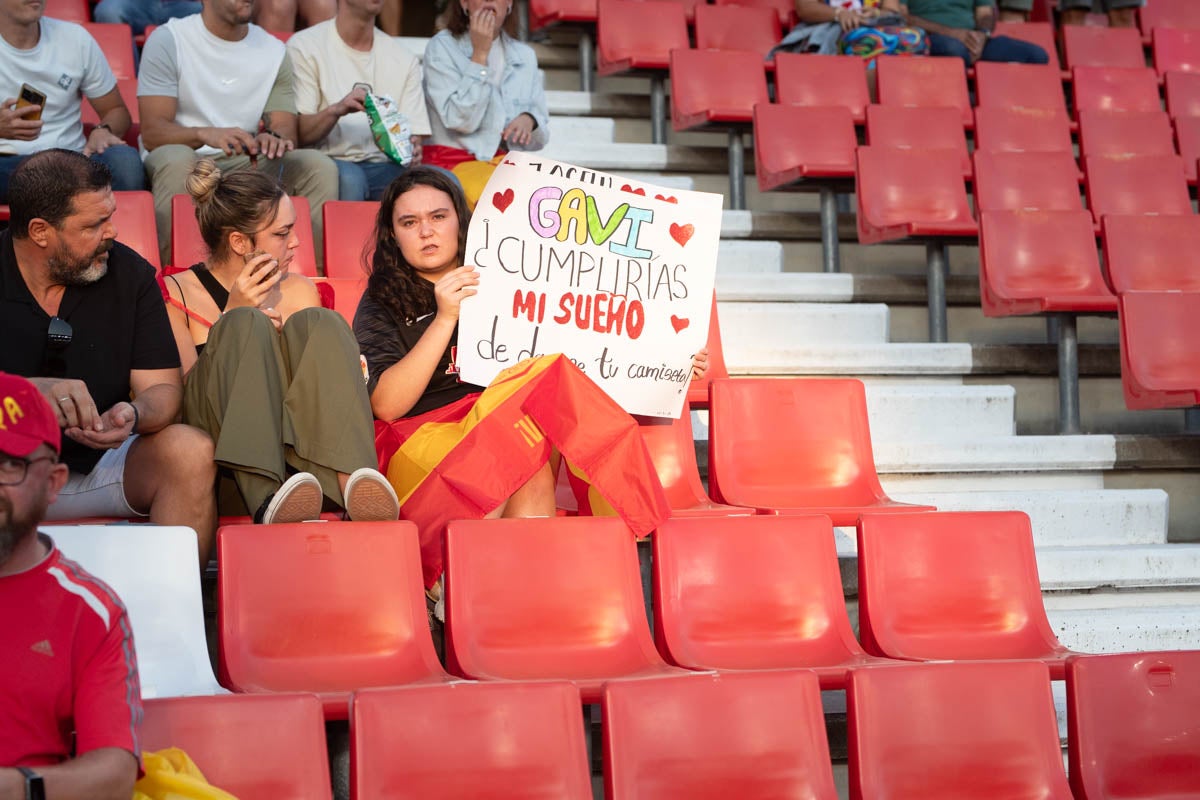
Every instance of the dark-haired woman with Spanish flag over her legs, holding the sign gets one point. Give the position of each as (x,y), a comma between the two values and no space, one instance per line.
(458,452)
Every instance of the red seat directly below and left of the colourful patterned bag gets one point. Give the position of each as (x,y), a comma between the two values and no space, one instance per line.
(811,80)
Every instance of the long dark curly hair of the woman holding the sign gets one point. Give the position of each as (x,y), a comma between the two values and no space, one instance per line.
(394,284)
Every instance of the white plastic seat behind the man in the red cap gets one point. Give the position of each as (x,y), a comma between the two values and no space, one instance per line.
(153,570)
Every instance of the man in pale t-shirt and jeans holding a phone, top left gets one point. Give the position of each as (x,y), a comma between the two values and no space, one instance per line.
(64,63)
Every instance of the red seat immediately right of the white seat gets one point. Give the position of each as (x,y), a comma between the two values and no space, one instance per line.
(327,609)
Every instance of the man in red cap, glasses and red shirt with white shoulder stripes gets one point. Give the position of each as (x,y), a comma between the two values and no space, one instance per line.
(70,701)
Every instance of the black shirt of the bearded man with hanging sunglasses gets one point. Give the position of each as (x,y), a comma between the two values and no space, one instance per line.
(118,323)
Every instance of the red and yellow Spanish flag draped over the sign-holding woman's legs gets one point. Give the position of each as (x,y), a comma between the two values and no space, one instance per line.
(465,460)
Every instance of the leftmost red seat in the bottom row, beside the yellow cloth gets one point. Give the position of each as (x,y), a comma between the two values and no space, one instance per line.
(251,747)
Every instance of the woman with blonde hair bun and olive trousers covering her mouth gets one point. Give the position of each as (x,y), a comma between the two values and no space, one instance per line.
(273,377)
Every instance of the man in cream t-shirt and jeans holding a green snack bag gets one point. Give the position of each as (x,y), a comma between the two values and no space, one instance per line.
(335,62)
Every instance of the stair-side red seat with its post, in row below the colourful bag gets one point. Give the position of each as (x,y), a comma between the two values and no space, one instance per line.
(718,91)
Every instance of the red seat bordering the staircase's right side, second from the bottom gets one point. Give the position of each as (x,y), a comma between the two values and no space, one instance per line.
(1041,262)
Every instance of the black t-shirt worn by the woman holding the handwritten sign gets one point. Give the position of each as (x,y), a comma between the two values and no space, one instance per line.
(385,340)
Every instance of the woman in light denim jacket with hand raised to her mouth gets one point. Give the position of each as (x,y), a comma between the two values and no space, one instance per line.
(484,93)
